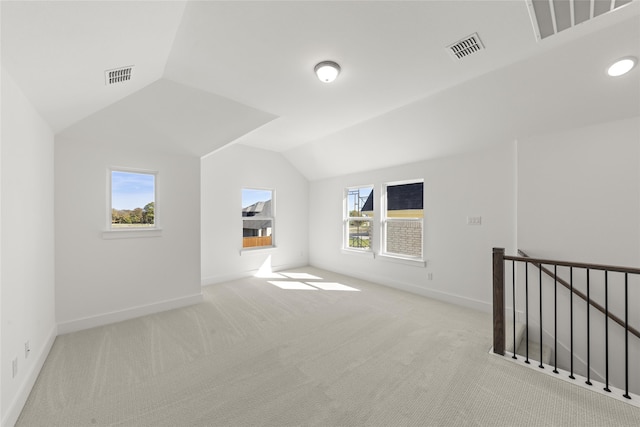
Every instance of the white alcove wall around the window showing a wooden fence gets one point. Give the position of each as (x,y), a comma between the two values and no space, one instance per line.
(224,174)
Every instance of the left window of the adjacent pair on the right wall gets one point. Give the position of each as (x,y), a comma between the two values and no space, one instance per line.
(358,219)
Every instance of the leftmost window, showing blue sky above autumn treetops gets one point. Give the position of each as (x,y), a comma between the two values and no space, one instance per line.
(133,199)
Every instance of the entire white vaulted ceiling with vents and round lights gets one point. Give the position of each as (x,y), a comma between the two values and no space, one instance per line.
(211,73)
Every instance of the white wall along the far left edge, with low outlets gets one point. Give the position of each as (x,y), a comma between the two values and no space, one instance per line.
(27,246)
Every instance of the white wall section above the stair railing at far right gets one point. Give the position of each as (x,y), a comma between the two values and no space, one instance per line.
(579,193)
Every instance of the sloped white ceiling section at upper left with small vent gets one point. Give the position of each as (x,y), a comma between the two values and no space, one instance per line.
(57,51)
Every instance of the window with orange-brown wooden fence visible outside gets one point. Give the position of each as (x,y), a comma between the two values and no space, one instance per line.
(257,218)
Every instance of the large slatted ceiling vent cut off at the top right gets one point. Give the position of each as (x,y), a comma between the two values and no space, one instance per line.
(549,17)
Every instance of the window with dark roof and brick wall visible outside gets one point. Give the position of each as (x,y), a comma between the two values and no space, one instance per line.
(403,219)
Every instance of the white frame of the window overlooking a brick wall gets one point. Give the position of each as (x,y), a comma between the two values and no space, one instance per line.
(385,220)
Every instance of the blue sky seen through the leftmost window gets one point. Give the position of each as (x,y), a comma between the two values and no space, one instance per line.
(130,190)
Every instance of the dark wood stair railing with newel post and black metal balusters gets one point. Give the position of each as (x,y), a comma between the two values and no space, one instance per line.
(499,314)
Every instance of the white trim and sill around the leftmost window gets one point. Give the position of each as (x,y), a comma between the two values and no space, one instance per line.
(131,232)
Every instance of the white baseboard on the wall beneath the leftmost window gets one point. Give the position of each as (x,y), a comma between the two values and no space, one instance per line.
(126,314)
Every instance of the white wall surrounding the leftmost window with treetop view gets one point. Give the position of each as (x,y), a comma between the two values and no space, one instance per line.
(101,280)
